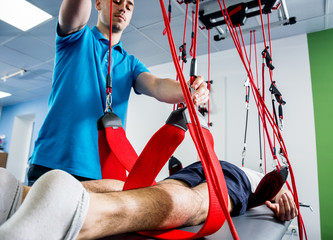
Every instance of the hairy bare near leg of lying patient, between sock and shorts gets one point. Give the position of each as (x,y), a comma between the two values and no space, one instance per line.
(166,205)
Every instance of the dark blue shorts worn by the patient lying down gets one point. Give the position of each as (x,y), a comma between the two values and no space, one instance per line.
(238,185)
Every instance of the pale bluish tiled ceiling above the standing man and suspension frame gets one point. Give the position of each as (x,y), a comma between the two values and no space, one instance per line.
(34,50)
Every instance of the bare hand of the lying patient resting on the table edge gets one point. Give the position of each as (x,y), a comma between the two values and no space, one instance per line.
(284,206)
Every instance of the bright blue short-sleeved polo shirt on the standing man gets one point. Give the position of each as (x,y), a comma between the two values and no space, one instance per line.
(68,138)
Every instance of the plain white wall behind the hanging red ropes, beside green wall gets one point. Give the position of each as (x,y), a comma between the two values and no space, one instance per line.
(292,74)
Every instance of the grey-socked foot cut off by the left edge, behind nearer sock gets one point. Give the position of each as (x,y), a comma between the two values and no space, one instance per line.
(10,195)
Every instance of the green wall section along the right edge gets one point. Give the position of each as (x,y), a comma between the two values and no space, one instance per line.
(321,65)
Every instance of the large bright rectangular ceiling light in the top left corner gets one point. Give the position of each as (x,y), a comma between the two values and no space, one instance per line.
(22,14)
